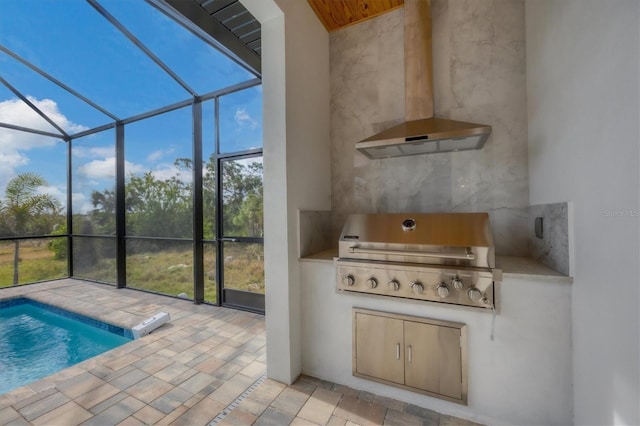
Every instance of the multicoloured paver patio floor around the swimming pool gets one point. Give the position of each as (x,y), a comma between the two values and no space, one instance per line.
(206,366)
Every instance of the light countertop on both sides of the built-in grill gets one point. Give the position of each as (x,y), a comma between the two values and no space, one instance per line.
(511,266)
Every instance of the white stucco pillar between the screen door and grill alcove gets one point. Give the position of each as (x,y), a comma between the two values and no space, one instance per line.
(295,77)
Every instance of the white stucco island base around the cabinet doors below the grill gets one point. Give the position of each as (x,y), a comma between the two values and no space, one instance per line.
(521,377)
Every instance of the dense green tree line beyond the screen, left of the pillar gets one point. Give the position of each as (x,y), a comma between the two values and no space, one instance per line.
(163,207)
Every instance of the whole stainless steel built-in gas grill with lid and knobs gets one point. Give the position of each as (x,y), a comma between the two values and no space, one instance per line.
(435,257)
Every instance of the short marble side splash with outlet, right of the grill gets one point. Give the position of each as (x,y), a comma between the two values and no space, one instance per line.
(553,248)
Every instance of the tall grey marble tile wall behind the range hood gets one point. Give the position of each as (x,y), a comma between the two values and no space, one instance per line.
(479,76)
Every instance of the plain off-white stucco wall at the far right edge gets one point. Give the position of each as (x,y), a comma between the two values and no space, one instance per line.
(584,113)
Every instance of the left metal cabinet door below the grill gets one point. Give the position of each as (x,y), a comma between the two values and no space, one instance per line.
(378,348)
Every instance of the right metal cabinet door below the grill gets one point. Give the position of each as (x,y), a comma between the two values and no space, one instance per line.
(433,358)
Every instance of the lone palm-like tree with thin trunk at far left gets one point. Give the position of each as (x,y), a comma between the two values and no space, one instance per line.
(25,211)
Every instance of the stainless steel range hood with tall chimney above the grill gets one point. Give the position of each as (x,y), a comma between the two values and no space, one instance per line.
(421,133)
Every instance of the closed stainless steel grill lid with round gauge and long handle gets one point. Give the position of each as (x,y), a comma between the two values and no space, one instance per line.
(462,239)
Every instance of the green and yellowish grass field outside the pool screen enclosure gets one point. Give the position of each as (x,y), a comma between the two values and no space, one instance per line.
(168,271)
